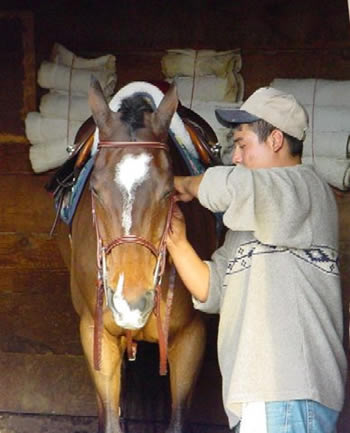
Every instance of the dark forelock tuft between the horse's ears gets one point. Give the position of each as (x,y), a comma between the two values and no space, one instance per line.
(132,110)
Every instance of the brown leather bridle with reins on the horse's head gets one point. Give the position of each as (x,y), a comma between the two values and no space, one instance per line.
(159,252)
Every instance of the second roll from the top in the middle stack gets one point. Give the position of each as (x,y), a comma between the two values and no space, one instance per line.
(209,88)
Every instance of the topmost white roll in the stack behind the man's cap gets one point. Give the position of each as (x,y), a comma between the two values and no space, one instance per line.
(319,92)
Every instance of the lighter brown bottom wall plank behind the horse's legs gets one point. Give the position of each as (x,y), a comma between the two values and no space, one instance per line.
(61,385)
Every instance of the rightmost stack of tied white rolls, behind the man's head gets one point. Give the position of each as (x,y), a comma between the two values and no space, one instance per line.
(327,143)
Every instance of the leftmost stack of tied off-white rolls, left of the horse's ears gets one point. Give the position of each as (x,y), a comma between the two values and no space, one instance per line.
(62,110)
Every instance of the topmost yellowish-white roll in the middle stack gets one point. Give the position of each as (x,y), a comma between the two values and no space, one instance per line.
(184,62)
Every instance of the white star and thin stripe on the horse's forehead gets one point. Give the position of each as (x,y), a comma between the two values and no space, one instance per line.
(130,172)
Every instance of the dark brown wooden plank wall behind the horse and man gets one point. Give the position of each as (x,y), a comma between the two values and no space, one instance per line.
(38,327)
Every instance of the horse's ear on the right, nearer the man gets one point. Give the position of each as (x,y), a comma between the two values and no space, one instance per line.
(165,111)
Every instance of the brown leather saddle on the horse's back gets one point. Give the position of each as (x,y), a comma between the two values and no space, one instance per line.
(66,176)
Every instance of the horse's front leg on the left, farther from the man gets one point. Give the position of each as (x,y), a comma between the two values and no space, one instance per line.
(107,379)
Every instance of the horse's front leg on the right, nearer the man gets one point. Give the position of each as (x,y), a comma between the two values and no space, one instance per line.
(185,358)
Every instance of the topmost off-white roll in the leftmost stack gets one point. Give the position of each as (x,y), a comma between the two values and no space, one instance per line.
(62,55)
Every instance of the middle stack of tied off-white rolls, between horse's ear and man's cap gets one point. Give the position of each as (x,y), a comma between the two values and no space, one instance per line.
(206,80)
